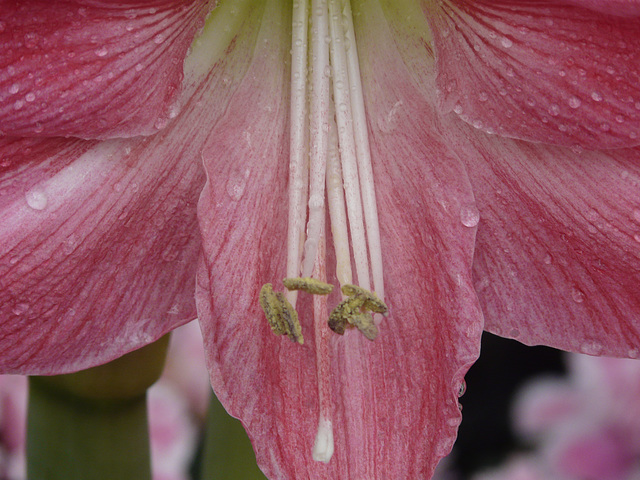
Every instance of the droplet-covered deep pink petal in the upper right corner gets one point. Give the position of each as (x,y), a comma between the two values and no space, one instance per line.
(545,72)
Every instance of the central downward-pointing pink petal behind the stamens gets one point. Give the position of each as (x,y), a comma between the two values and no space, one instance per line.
(395,406)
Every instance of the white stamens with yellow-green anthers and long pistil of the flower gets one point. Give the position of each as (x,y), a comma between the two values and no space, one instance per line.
(330,163)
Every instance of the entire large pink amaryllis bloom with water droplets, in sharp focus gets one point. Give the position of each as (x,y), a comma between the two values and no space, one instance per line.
(495,154)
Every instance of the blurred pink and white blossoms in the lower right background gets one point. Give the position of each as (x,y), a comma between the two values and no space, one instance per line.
(585,427)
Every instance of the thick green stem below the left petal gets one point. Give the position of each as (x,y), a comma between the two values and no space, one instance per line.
(92,425)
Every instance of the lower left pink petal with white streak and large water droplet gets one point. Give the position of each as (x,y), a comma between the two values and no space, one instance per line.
(98,247)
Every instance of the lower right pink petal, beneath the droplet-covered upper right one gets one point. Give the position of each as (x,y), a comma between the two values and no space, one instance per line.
(557,259)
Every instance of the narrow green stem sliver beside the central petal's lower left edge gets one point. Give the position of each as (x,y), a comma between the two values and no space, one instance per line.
(227,453)
